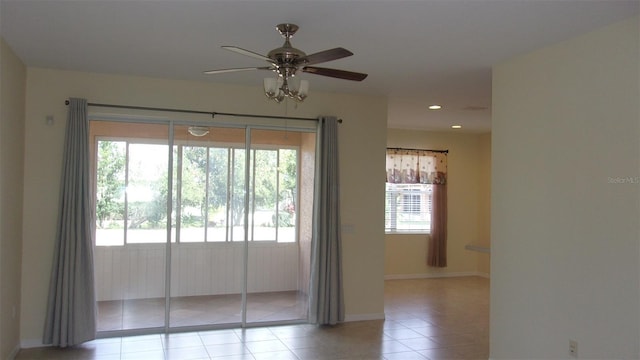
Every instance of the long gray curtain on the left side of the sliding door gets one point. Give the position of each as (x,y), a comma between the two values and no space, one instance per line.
(71,309)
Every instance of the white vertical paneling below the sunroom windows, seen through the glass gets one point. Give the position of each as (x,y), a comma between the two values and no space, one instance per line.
(138,271)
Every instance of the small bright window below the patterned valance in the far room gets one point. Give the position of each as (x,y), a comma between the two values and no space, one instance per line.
(408,207)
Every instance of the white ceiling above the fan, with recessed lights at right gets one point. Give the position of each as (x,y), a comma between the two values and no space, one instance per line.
(415,52)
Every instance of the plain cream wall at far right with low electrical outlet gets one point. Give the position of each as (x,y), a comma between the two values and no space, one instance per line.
(566,199)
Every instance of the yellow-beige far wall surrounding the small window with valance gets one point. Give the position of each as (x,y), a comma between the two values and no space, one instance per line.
(467,201)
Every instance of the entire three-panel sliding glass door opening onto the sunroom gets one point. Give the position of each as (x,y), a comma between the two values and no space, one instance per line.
(201,227)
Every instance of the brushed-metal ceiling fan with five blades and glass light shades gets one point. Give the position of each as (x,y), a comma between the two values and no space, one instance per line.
(287,61)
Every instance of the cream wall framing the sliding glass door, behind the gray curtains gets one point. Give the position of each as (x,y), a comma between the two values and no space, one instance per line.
(362,115)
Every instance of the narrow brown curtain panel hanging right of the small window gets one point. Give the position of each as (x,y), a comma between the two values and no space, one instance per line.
(437,246)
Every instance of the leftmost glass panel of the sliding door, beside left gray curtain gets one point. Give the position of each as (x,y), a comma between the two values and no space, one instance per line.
(131,181)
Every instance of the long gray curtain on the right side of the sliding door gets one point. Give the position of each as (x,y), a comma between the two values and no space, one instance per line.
(326,303)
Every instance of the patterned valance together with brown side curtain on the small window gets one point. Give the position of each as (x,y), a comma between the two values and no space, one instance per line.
(414,166)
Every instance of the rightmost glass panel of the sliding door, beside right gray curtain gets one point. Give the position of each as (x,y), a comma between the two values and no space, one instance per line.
(276,290)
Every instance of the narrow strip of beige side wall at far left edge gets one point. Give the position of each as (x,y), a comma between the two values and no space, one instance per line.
(12,115)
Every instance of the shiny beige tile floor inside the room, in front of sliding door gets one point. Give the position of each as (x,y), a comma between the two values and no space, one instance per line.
(425,319)
